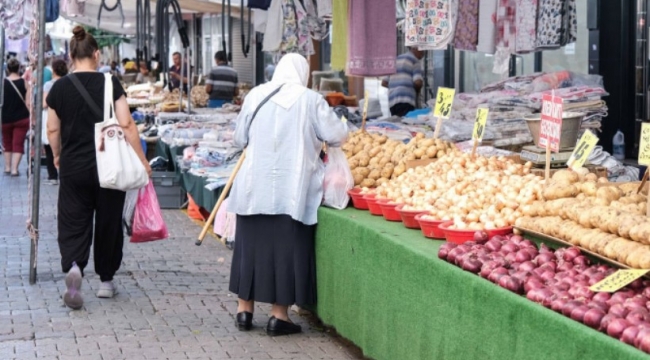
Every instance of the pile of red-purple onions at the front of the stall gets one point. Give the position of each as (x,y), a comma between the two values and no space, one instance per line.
(558,280)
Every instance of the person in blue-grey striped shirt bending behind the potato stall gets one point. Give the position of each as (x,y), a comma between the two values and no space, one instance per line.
(404,87)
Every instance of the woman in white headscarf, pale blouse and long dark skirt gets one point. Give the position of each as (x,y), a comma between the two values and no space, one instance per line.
(277,192)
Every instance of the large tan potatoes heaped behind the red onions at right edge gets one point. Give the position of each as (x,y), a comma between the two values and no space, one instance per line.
(606,219)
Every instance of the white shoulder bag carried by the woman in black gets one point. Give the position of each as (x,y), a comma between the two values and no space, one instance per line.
(118,166)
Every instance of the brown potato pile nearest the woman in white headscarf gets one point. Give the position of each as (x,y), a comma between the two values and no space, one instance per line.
(374,159)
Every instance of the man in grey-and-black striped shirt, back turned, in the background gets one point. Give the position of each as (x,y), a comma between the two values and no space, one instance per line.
(222,82)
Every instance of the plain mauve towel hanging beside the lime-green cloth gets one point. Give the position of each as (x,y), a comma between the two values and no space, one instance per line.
(373,44)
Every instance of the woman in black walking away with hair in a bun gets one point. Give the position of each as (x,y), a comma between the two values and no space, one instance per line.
(83,204)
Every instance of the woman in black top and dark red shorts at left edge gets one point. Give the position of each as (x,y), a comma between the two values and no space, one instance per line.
(15,118)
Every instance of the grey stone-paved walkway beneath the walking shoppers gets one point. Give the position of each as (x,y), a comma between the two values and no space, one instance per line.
(173,300)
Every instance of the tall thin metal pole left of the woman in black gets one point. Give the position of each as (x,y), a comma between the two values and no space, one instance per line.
(36,175)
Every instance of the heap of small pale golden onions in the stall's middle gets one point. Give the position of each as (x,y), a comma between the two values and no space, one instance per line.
(476,193)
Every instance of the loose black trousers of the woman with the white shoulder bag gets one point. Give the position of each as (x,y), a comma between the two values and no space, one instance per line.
(83,207)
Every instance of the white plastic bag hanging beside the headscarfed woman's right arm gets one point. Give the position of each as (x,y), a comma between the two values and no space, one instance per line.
(338,180)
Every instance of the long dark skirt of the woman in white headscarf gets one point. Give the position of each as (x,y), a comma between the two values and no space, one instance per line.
(274,260)
